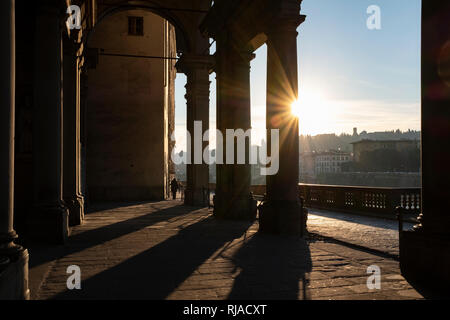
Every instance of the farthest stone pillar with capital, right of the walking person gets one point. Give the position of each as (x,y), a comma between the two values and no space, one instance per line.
(196,68)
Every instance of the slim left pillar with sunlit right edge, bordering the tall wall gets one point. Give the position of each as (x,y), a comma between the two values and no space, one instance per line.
(72,148)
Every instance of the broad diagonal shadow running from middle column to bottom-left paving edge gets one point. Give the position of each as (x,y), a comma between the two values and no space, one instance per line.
(157,272)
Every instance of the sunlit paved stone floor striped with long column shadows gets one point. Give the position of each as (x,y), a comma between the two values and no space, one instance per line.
(164,250)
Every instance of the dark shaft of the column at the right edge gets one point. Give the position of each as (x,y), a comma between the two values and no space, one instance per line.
(435,119)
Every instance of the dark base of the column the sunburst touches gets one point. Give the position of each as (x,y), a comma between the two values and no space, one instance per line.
(282,217)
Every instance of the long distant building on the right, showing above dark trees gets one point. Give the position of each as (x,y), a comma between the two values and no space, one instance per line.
(372,145)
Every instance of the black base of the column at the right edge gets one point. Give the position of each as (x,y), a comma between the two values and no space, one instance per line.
(425,260)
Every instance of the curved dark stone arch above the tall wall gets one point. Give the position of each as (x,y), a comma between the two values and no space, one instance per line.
(183,41)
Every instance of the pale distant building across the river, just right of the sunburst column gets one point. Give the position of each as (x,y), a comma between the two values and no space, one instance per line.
(314,163)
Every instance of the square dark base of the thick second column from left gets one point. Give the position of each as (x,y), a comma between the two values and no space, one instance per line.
(49,224)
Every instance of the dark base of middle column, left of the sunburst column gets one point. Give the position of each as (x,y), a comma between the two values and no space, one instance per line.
(235,208)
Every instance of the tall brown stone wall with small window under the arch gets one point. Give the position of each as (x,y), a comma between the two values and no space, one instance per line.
(130,110)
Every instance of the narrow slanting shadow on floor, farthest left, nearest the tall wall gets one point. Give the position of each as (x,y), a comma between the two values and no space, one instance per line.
(40,254)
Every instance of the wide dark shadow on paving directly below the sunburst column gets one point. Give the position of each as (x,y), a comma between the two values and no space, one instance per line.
(272,267)
